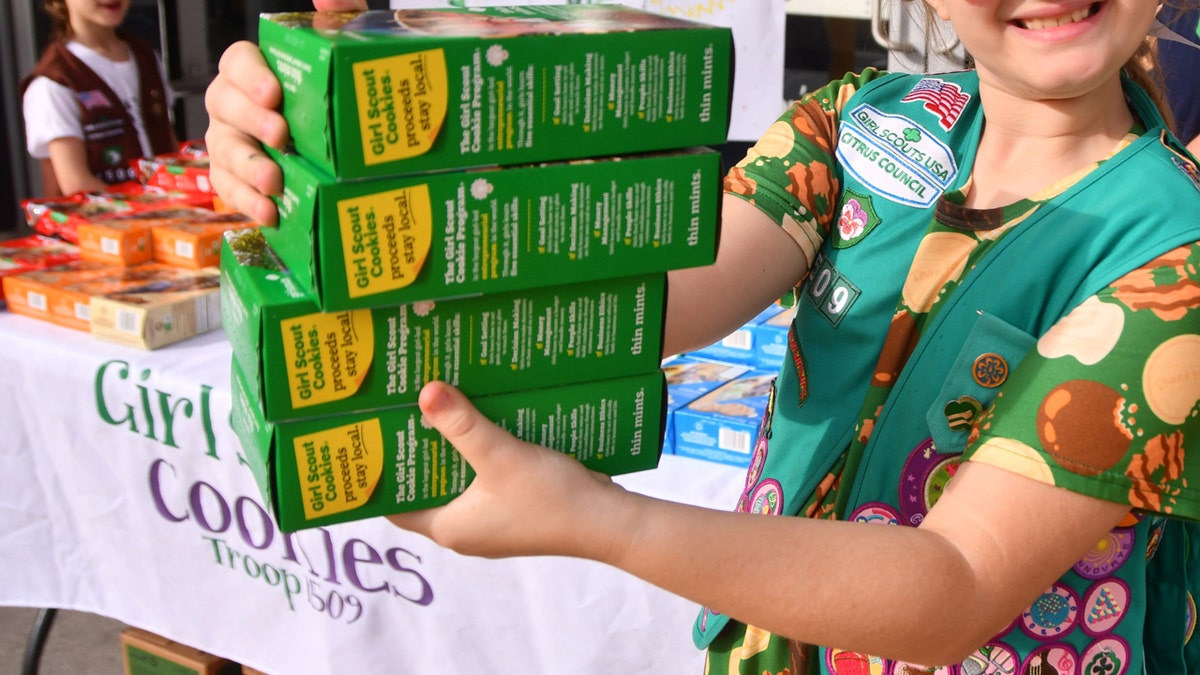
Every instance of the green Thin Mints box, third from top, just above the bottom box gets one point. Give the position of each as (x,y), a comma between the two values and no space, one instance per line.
(302,362)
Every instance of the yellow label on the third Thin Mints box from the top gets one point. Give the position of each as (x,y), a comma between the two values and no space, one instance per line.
(328,355)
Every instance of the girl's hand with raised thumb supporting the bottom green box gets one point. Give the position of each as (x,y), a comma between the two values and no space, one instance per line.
(525,499)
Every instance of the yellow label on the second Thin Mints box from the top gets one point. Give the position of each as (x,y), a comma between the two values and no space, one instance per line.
(386,240)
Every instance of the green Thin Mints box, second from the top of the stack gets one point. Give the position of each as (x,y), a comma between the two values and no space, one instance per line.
(394,241)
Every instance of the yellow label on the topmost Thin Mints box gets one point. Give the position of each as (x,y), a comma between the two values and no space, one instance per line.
(403,105)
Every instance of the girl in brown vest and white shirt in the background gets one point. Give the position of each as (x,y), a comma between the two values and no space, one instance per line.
(97,99)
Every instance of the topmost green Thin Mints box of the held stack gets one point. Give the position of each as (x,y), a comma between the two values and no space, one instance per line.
(394,92)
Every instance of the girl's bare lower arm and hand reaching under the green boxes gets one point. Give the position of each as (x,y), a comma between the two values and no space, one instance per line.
(928,595)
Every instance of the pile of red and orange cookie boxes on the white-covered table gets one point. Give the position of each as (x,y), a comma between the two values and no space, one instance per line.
(134,265)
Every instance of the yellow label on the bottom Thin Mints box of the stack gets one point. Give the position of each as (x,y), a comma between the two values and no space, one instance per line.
(340,468)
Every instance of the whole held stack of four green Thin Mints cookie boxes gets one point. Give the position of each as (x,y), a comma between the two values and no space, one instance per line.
(488,198)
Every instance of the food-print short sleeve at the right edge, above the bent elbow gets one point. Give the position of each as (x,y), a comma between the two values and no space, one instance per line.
(1106,404)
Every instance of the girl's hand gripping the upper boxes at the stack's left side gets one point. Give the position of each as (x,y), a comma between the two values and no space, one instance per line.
(243,104)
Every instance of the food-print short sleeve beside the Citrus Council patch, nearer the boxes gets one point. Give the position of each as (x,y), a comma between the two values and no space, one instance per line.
(790,174)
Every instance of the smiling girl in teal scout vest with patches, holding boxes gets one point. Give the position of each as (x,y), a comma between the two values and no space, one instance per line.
(977,455)
